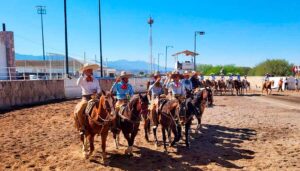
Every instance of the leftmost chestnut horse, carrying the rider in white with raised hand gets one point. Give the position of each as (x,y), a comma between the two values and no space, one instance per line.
(97,123)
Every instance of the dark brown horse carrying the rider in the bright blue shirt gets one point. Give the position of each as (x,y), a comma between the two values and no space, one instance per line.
(128,119)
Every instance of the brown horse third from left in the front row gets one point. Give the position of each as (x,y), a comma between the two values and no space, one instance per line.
(166,115)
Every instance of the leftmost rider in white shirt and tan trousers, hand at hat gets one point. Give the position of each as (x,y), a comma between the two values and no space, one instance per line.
(90,89)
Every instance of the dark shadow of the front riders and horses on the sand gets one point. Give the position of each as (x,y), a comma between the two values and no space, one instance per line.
(216,144)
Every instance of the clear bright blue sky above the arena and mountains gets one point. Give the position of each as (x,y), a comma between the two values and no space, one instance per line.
(240,32)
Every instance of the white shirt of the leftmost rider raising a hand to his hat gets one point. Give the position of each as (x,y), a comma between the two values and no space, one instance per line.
(88,88)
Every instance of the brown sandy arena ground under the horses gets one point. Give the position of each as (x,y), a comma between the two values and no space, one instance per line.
(247,133)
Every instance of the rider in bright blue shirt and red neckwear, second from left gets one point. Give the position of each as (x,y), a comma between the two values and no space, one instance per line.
(124,92)
